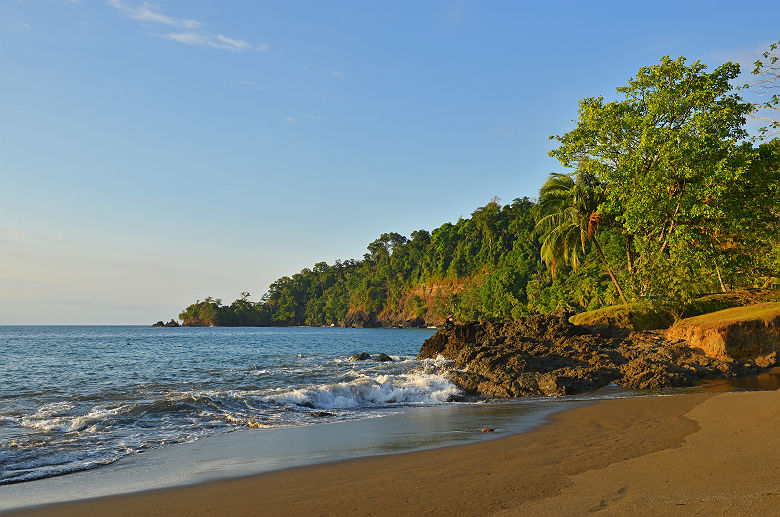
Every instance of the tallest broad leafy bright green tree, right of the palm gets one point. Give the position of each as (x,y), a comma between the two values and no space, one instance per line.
(667,155)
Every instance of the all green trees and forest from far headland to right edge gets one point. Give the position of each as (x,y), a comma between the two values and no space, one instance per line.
(666,199)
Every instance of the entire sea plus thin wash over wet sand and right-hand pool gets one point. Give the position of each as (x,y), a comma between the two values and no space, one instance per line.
(88,411)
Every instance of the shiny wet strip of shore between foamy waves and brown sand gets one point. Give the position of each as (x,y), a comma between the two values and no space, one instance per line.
(256,451)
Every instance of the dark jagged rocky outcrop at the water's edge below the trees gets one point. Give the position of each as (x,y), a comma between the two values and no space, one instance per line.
(548,355)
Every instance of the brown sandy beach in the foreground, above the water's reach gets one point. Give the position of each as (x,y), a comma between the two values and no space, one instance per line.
(705,453)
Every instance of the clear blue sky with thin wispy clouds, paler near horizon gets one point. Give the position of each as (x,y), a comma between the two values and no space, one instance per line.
(155,153)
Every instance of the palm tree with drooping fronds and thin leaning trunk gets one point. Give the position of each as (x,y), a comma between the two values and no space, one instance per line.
(568,218)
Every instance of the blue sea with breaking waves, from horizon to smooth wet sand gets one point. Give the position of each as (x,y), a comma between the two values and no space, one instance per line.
(74,398)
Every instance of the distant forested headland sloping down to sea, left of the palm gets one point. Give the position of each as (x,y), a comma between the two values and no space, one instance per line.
(485,266)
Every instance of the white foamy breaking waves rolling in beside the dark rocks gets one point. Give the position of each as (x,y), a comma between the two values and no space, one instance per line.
(98,427)
